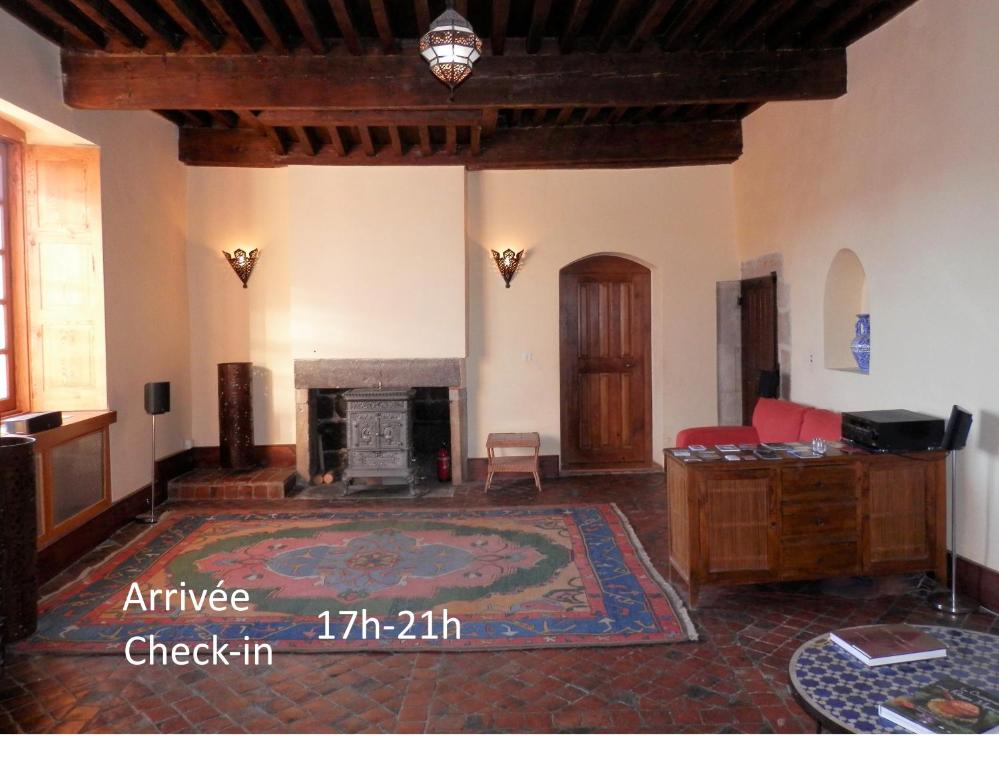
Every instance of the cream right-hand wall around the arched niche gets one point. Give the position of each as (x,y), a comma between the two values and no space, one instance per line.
(904,170)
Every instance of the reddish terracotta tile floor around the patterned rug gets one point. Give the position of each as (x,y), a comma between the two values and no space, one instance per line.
(735,679)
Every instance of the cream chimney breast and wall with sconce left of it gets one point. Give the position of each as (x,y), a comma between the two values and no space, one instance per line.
(355,263)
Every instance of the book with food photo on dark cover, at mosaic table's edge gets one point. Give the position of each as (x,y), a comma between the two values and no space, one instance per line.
(945,706)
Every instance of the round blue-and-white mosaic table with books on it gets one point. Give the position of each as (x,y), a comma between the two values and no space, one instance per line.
(843,693)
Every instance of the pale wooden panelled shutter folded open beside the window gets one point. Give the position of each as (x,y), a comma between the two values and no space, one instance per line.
(65,275)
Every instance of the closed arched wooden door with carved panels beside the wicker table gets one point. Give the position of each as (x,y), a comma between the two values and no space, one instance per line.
(606,352)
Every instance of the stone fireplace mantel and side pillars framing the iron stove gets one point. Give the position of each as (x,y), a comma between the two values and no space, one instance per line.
(330,373)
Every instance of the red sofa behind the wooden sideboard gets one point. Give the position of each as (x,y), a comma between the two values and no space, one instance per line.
(774,421)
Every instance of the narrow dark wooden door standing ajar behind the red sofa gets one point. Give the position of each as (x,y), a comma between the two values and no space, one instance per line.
(758,302)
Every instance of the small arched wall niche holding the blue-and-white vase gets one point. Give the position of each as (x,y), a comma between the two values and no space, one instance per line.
(845,298)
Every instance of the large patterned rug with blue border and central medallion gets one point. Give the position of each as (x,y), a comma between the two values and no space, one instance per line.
(514,578)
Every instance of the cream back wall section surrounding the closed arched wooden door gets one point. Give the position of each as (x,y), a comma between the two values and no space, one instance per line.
(676,221)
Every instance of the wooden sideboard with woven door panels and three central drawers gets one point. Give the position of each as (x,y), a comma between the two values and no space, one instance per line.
(849,513)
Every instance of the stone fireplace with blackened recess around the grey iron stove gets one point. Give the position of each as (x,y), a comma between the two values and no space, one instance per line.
(439,409)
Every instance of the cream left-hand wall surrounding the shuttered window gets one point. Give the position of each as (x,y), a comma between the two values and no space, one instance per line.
(145,284)
